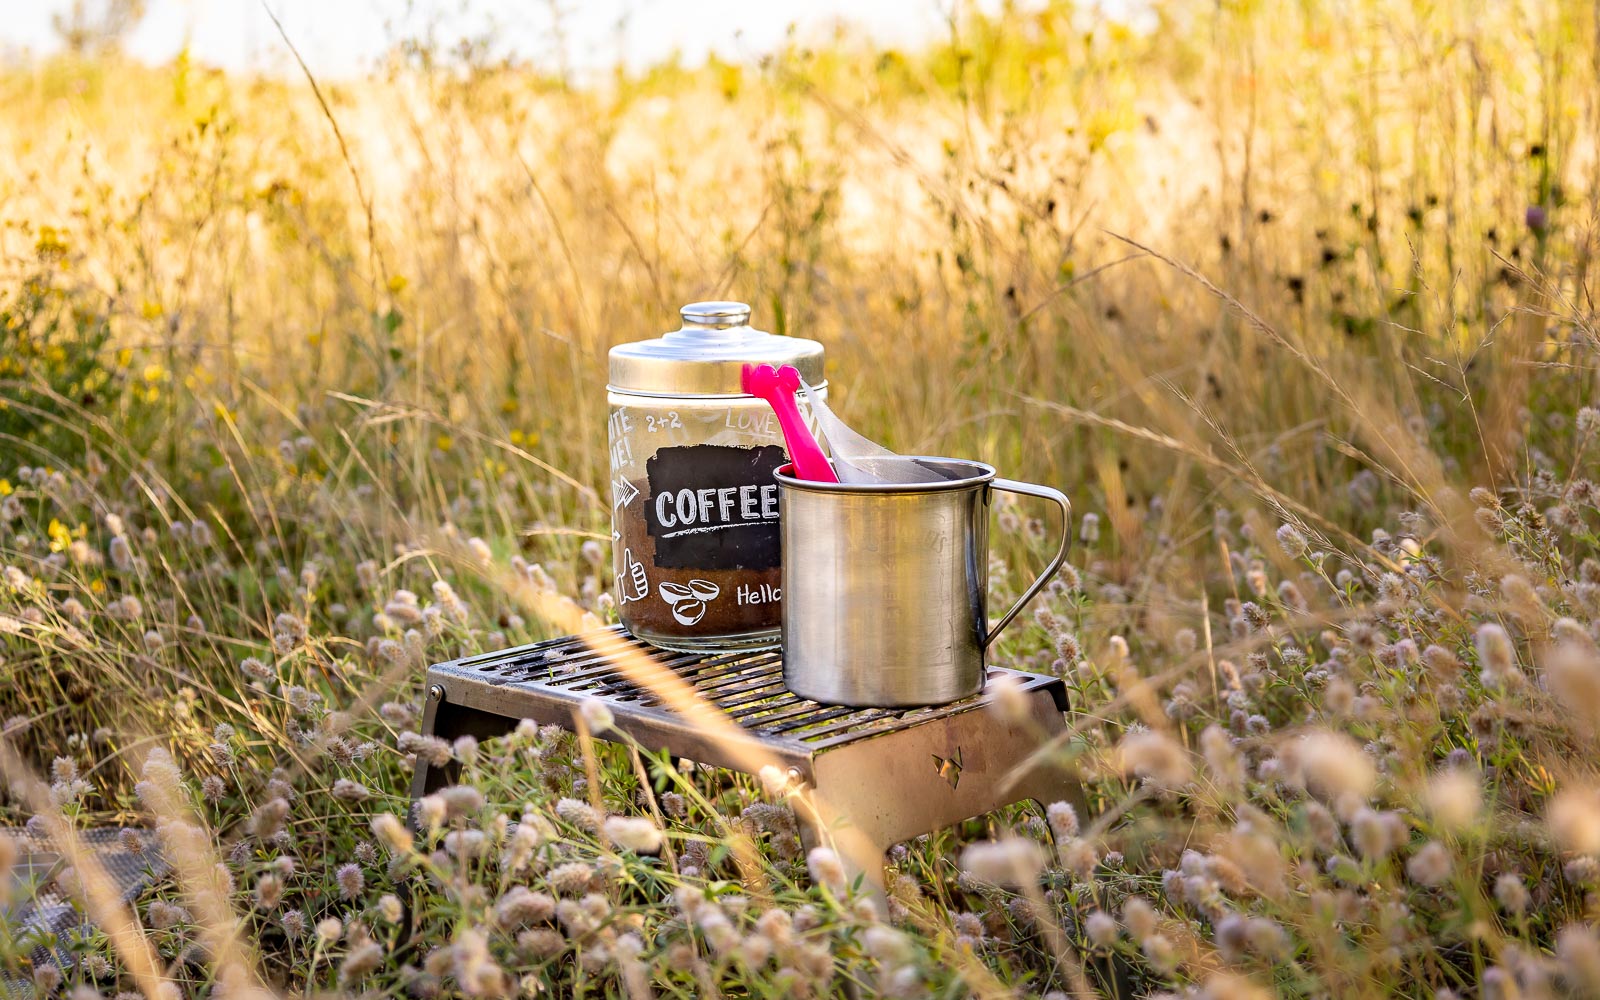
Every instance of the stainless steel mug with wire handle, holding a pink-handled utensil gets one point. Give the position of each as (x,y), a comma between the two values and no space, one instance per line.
(886,585)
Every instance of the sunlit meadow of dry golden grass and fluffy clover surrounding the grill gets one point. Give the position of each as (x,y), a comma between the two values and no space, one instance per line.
(302,390)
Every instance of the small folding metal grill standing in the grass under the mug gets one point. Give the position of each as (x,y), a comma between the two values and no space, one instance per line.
(895,774)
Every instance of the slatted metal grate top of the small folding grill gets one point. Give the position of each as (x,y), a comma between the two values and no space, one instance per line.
(746,687)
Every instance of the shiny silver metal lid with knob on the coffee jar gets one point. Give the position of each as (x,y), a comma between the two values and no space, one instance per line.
(708,356)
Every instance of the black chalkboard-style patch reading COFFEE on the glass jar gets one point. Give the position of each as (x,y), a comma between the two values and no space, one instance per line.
(714,506)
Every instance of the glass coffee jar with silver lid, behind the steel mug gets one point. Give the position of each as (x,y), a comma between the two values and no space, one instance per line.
(694,502)
